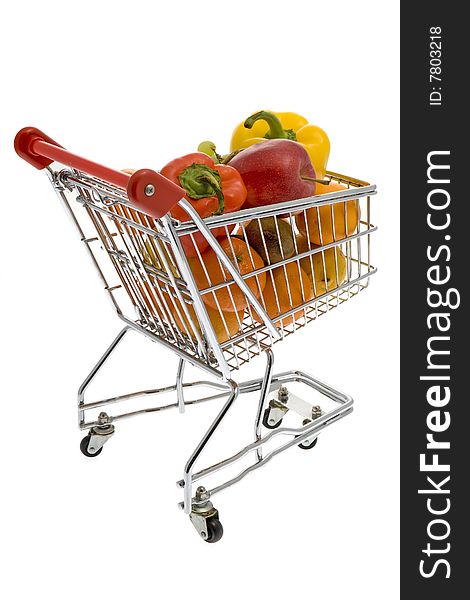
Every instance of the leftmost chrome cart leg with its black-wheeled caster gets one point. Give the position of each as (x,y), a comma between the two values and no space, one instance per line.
(92,444)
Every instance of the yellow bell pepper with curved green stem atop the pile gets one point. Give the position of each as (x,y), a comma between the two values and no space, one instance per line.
(265,125)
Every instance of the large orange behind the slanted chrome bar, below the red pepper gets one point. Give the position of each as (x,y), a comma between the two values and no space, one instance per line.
(230,297)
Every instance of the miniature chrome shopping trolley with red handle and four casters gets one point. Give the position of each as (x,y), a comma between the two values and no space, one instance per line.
(140,254)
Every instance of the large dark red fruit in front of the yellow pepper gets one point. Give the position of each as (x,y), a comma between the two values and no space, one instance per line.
(273,172)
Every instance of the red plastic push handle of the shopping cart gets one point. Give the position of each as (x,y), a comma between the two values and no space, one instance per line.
(146,189)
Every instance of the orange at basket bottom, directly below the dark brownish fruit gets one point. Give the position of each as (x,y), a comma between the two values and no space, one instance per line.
(286,288)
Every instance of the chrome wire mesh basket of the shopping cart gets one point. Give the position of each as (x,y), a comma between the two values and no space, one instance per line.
(149,287)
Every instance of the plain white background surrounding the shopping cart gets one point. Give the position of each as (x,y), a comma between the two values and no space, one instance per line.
(135,84)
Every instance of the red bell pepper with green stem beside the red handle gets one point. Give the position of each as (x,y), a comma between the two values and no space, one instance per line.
(210,188)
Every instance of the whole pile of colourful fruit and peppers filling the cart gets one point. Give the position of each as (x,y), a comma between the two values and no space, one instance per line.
(274,158)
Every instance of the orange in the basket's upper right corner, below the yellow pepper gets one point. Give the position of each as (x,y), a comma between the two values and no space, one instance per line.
(331,229)
